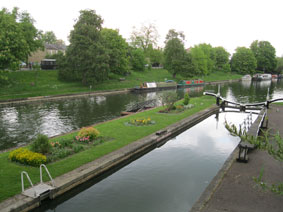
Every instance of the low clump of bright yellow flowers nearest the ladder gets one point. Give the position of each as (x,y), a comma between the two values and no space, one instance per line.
(27,157)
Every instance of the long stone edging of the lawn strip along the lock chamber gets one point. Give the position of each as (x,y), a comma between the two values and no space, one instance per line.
(95,168)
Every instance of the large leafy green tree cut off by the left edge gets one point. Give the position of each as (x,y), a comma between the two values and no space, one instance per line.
(18,38)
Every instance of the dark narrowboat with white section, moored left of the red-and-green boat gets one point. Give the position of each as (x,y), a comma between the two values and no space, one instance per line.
(154,86)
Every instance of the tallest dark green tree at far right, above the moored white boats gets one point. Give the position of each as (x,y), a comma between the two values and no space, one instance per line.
(265,56)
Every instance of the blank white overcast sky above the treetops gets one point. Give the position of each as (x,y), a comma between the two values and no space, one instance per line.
(227,23)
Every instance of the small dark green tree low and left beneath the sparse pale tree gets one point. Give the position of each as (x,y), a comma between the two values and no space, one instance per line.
(137,59)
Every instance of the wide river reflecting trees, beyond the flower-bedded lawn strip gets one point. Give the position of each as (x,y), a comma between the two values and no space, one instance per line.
(21,123)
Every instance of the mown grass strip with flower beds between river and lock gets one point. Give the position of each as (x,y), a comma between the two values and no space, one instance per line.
(10,183)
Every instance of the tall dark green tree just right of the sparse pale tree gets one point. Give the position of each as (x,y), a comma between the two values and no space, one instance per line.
(175,53)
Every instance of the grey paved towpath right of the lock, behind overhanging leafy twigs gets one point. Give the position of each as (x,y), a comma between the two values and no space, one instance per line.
(234,189)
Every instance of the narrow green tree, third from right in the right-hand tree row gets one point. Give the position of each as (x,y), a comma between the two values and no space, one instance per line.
(221,59)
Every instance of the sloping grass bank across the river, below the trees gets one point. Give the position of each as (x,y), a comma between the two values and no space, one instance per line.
(45,83)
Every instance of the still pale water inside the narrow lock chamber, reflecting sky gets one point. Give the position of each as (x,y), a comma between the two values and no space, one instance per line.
(169,178)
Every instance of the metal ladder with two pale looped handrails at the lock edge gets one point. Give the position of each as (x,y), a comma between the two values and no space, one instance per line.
(41,190)
